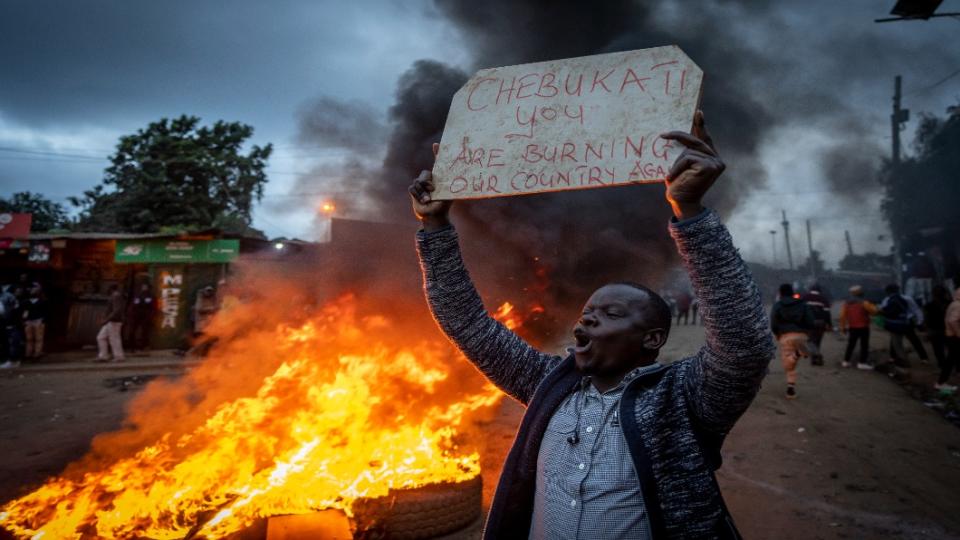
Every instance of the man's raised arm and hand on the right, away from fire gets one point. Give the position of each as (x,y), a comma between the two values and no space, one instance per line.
(725,375)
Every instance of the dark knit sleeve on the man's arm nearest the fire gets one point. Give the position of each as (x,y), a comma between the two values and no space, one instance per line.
(501,355)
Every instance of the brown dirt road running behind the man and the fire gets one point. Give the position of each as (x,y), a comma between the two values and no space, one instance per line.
(853,457)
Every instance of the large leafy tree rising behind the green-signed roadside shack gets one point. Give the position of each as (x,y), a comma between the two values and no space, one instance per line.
(176,174)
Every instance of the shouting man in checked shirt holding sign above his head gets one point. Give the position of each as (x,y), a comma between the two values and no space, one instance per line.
(614,444)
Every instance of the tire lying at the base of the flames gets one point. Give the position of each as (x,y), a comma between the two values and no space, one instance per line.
(424,512)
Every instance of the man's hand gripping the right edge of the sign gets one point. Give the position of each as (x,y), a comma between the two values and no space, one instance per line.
(694,171)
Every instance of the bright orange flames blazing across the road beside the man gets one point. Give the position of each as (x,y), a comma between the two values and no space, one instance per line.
(356,407)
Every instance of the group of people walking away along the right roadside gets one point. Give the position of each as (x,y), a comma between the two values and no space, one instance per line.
(799,323)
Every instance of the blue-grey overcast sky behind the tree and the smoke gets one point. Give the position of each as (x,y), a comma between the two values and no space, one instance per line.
(76,75)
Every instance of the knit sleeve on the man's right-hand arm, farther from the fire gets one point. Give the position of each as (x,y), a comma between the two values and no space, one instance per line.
(725,375)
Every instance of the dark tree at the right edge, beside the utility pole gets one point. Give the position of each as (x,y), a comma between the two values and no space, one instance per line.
(923,191)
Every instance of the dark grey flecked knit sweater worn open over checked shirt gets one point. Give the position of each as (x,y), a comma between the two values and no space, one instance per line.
(674,419)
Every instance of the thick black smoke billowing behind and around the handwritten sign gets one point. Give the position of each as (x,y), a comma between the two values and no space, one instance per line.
(558,247)
